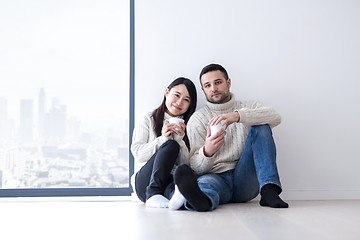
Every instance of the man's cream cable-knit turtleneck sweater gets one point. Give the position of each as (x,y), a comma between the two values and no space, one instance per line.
(251,113)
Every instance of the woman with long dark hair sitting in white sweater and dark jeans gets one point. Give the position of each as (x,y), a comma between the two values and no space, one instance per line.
(160,146)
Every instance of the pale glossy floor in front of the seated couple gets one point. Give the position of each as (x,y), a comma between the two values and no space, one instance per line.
(123,219)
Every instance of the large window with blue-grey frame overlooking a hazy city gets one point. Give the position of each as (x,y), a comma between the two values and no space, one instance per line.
(66,111)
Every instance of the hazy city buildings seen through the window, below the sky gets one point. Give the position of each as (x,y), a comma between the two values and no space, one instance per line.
(46,148)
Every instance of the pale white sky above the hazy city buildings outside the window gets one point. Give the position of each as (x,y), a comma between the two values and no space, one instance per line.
(77,50)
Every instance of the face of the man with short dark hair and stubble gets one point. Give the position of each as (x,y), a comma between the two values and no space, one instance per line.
(216,87)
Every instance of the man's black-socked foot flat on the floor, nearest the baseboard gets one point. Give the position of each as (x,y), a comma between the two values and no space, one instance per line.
(270,197)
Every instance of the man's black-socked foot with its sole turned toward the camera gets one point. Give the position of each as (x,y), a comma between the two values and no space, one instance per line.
(188,187)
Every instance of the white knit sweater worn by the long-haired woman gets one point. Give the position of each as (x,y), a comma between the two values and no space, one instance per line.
(145,142)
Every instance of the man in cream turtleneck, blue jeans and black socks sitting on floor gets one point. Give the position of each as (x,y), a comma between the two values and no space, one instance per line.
(235,164)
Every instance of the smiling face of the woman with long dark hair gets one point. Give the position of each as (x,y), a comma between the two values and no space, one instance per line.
(177,100)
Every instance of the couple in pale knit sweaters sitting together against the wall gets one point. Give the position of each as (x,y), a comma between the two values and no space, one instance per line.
(198,169)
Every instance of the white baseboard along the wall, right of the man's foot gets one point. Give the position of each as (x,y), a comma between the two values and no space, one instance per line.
(321,195)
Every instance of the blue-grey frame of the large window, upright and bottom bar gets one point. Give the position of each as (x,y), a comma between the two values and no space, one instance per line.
(77,192)
